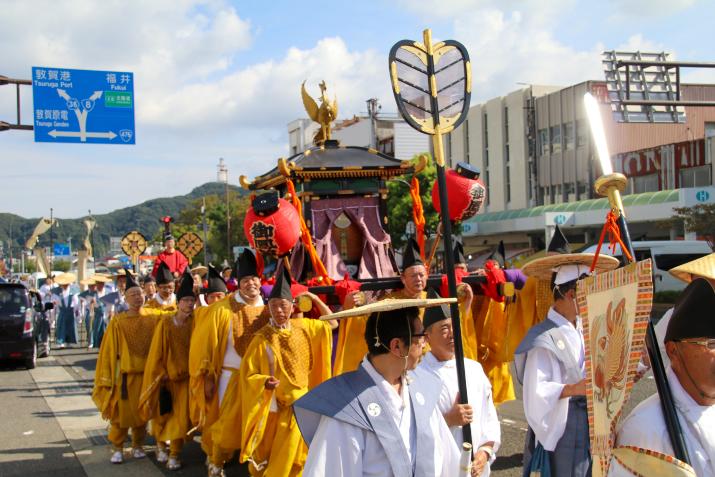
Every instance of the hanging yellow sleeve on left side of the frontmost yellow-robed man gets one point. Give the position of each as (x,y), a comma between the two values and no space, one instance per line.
(254,412)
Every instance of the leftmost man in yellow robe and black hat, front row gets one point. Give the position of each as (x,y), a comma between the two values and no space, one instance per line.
(120,369)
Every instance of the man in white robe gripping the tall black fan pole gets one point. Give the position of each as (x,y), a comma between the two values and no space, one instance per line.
(479,413)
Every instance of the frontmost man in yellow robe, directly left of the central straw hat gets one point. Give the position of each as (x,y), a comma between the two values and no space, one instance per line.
(285,359)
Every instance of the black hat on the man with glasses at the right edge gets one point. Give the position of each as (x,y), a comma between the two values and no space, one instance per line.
(693,314)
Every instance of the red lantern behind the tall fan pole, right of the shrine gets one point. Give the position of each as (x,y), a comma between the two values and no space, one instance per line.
(465,192)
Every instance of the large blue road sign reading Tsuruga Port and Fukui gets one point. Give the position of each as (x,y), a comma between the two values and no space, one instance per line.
(83,106)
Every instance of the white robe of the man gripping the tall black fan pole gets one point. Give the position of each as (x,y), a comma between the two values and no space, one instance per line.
(485,422)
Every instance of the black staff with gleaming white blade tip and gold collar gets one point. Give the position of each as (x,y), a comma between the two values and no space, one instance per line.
(611,185)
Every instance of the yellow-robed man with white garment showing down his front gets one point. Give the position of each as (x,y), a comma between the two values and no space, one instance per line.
(222,333)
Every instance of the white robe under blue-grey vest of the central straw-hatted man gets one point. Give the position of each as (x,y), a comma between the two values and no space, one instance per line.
(350,451)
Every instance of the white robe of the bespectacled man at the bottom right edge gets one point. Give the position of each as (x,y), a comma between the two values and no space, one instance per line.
(645,427)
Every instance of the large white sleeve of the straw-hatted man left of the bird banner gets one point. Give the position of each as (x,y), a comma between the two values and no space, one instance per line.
(545,411)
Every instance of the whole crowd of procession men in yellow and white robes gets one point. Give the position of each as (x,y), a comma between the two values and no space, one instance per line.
(271,376)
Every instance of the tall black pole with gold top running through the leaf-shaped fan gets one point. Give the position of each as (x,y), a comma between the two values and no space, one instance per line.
(447,229)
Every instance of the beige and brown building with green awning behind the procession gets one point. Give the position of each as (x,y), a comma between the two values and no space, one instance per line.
(536,155)
